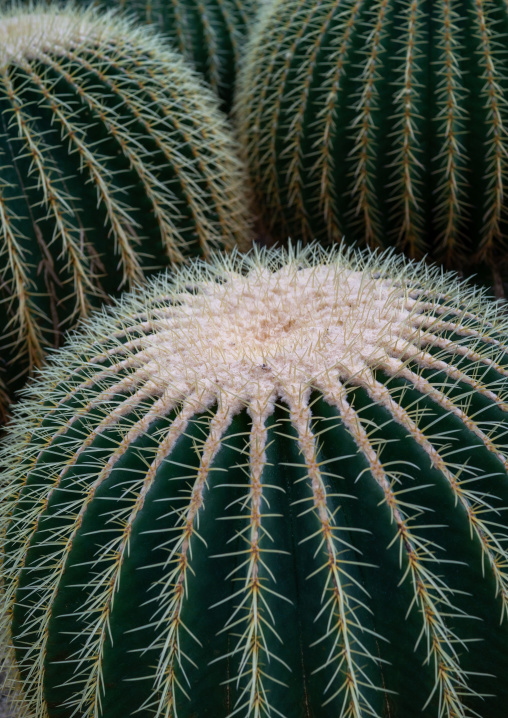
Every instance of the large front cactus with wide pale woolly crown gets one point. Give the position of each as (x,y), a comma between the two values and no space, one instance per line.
(271,486)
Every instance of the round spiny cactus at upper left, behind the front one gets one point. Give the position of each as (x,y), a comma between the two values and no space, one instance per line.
(114,161)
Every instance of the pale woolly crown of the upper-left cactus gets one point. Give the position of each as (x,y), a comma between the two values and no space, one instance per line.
(29,34)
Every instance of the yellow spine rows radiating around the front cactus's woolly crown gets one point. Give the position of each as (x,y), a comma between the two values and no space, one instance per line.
(87,398)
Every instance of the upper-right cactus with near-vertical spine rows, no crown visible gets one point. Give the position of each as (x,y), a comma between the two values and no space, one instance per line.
(384,121)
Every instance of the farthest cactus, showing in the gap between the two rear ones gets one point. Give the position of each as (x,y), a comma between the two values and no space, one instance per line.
(210,34)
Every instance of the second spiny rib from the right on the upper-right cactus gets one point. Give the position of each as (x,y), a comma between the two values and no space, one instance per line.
(451,212)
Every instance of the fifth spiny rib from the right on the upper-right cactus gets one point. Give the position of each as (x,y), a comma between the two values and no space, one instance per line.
(325,164)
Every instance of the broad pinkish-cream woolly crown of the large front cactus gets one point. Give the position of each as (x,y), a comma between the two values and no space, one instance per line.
(283,330)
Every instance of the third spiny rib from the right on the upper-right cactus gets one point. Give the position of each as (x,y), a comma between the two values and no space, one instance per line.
(406,163)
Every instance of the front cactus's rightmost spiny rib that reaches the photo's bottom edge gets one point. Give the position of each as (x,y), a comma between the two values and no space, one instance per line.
(430,591)
